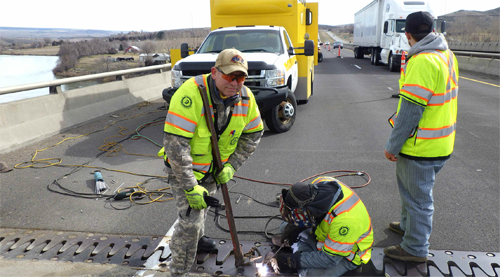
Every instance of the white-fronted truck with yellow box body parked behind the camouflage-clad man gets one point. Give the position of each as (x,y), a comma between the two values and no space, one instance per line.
(274,37)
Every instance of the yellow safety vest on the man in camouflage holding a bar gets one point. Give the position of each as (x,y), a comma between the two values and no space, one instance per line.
(186,118)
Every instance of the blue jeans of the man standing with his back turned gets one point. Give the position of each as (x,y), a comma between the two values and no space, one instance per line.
(415,181)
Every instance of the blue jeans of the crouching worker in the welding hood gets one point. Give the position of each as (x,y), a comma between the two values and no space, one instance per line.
(329,266)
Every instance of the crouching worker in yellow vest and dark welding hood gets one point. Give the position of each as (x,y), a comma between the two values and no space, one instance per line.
(328,228)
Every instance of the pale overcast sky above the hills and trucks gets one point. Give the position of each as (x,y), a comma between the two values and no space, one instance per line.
(156,15)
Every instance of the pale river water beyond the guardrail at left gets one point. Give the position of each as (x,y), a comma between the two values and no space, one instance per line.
(22,70)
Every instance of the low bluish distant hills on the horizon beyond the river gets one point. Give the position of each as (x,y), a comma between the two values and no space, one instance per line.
(52,33)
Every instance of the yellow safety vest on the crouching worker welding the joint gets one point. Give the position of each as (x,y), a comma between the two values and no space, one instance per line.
(347,230)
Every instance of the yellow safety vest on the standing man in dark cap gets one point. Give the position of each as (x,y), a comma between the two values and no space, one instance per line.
(433,84)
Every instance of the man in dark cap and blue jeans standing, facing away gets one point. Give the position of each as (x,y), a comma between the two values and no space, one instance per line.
(423,134)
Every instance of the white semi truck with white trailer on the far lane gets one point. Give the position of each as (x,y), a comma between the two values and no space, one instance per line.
(379,30)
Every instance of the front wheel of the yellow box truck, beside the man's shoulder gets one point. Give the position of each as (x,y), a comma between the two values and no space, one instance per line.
(281,117)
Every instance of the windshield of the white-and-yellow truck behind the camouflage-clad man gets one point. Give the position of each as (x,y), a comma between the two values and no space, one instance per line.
(243,40)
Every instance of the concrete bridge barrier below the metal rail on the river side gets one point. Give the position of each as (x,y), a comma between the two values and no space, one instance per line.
(26,121)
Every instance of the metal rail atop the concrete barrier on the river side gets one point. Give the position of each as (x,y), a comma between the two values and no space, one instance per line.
(54,84)
